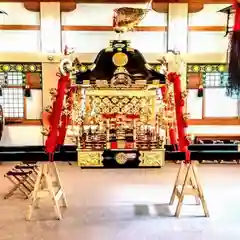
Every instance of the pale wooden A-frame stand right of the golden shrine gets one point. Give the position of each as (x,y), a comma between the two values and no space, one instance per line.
(187,183)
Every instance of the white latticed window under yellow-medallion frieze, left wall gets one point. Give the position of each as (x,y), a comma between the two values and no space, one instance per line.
(12,95)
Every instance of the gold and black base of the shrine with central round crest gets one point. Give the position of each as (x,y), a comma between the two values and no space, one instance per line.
(121,158)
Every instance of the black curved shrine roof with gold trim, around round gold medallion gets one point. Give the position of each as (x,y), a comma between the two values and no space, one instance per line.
(104,68)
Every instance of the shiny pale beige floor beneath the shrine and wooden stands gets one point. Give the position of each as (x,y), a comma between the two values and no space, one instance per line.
(128,204)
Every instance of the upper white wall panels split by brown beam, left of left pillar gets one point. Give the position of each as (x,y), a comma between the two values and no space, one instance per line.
(17,40)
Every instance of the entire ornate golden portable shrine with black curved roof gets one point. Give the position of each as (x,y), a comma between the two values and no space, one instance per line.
(118,123)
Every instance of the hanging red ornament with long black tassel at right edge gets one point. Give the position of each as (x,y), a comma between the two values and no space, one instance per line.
(233,53)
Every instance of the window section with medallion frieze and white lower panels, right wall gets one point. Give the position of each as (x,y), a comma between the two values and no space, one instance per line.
(215,102)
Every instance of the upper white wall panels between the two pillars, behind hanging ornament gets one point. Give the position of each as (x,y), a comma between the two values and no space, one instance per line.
(101,15)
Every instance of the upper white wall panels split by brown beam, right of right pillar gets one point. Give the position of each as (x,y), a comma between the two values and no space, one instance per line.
(207,42)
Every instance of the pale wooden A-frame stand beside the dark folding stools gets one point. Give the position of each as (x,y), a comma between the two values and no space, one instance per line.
(48,184)
